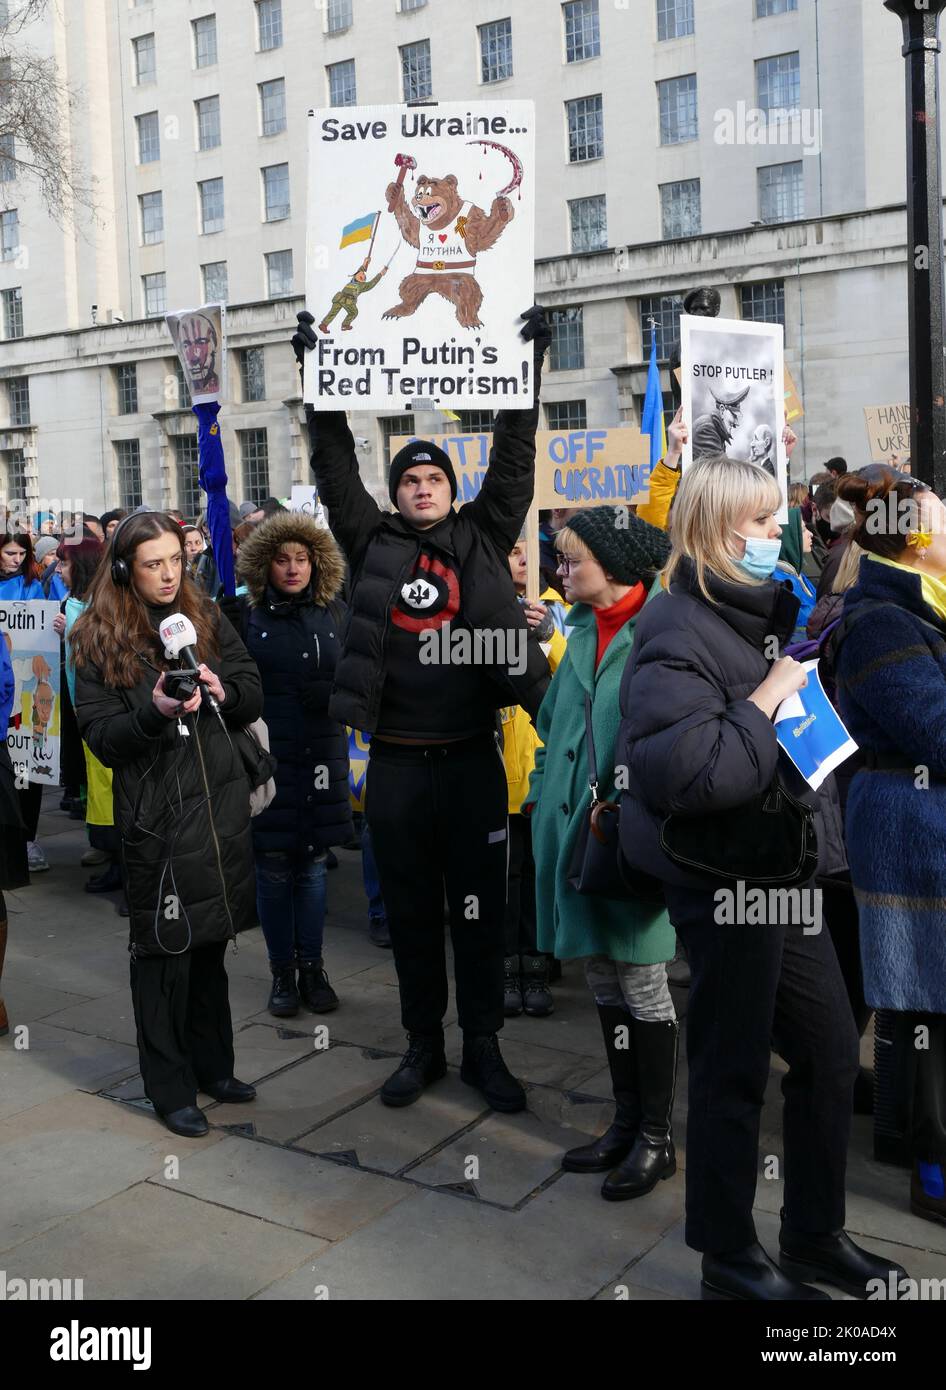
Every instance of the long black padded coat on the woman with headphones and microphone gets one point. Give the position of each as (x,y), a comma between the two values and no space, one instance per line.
(183,806)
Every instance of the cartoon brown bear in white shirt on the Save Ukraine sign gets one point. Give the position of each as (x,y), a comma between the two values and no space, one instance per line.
(448,236)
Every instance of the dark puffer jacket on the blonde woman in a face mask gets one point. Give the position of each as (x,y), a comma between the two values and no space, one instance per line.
(690,737)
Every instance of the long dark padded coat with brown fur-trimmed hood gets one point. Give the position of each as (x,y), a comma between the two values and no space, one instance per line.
(297,644)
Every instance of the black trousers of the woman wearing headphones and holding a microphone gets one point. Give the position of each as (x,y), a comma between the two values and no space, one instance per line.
(183,1013)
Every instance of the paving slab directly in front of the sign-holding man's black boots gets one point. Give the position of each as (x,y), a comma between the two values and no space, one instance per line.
(391,1139)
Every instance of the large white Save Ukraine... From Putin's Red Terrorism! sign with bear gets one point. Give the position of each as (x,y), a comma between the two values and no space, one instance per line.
(420,259)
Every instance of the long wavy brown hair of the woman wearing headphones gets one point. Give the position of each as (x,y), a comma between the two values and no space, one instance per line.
(116,630)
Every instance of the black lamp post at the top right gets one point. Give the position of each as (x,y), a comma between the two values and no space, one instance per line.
(922,51)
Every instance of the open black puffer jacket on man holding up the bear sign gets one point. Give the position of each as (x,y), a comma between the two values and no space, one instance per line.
(383,551)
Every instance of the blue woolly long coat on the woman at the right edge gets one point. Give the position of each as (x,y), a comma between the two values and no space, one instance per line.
(891,672)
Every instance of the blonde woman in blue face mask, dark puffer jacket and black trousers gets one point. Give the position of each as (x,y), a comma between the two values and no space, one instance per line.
(698,700)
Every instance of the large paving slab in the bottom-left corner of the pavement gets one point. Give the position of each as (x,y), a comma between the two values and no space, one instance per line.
(152,1243)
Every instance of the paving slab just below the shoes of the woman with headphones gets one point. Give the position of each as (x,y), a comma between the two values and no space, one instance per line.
(291,1189)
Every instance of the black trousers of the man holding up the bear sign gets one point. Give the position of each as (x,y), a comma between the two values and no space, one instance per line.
(438,821)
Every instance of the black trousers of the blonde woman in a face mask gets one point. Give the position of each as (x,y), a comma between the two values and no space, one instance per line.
(755,989)
